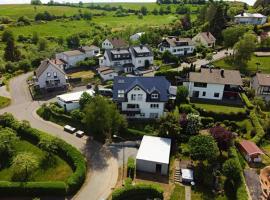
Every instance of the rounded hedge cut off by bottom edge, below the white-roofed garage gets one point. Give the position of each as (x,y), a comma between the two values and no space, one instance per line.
(138,192)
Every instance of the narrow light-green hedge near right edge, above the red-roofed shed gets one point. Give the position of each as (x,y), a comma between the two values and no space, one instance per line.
(260,133)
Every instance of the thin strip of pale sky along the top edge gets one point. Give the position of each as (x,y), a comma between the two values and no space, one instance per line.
(250,2)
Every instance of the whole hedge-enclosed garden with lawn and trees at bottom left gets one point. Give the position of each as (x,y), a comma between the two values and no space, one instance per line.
(34,163)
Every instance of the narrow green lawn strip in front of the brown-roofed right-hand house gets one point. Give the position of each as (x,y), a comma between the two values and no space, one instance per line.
(219,108)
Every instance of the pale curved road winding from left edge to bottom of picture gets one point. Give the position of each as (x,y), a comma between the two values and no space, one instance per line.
(102,166)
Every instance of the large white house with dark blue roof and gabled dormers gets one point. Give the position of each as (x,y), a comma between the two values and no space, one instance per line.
(141,97)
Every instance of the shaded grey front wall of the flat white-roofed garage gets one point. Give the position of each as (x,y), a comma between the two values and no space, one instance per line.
(149,166)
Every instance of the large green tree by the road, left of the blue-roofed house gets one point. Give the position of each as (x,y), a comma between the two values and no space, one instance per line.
(102,118)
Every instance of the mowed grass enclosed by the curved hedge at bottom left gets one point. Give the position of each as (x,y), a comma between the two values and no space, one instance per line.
(59,171)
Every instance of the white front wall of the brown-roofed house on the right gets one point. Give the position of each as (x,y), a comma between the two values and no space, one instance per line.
(210,90)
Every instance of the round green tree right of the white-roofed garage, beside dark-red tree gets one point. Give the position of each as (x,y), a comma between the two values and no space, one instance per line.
(203,147)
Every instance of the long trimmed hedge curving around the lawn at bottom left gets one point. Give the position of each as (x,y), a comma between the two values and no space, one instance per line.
(65,151)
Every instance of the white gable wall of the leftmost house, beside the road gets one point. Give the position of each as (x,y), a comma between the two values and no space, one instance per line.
(44,77)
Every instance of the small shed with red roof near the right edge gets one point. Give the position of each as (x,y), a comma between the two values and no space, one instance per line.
(251,151)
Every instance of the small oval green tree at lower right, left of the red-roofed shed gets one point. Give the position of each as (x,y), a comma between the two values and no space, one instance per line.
(232,169)
